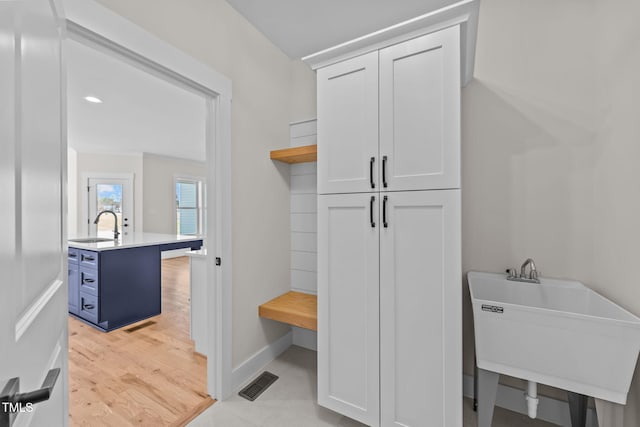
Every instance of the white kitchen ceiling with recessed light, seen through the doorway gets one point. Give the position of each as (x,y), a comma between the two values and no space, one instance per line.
(140,112)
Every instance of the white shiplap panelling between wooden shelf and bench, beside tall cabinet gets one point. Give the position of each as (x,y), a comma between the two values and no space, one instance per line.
(304,209)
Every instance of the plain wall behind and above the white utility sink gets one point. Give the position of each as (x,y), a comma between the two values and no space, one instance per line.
(550,148)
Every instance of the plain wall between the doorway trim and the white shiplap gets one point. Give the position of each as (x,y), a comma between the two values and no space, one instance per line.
(264,103)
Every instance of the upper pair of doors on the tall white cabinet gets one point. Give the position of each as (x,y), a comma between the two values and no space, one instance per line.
(389,120)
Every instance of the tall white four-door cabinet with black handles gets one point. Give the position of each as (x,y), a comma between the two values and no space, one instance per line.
(389,273)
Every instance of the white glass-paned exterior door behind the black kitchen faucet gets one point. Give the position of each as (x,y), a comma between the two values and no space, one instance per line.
(114,194)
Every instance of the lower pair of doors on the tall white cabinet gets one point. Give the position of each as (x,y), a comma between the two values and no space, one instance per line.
(389,307)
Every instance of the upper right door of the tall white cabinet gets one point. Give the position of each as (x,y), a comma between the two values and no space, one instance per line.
(420,113)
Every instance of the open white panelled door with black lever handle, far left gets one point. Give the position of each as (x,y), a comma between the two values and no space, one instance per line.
(33,293)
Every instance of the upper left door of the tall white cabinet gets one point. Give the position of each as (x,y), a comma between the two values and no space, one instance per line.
(348,126)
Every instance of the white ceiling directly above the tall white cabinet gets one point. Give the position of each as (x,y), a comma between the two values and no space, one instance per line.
(303,27)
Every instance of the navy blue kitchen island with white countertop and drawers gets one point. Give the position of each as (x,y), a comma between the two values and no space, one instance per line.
(113,283)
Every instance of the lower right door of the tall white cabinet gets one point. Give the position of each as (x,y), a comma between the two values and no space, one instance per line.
(420,309)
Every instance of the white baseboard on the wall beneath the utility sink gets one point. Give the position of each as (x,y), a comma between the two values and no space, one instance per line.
(549,409)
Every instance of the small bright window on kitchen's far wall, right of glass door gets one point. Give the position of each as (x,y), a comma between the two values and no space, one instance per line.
(189,207)
